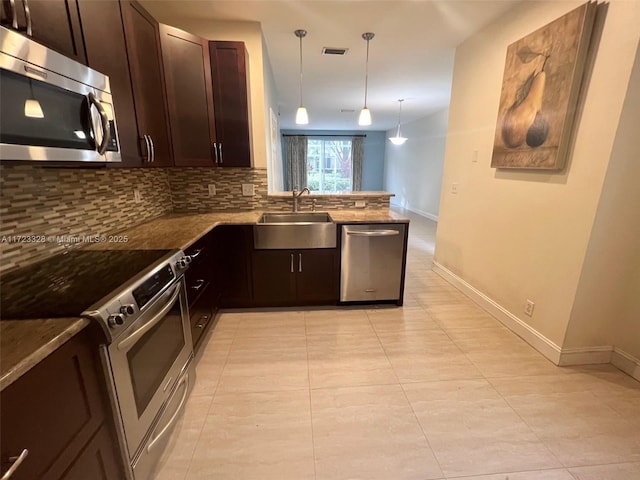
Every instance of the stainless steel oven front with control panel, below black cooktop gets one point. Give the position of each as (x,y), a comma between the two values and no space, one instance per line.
(149,359)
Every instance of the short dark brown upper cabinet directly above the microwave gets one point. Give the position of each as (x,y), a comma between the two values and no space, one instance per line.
(53,23)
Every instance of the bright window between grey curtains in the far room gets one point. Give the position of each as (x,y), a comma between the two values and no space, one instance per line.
(329,165)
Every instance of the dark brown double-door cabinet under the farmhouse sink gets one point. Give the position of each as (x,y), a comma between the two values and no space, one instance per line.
(295,277)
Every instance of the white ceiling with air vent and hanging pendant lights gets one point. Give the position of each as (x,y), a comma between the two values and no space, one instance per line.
(411,56)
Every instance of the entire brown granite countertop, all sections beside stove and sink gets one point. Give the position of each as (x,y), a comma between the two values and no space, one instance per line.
(24,343)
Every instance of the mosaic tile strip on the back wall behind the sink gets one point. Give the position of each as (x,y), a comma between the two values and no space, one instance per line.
(190,194)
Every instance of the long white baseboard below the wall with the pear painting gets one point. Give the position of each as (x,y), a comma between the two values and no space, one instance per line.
(534,338)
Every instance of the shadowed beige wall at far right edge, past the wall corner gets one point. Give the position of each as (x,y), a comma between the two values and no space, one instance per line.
(606,309)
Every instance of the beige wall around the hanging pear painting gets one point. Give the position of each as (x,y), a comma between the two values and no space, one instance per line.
(516,235)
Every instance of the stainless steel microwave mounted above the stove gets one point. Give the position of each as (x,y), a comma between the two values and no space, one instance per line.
(53,108)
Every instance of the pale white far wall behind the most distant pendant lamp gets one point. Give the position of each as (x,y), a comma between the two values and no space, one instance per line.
(413,171)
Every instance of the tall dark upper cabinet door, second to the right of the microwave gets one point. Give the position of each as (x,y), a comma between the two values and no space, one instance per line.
(147,77)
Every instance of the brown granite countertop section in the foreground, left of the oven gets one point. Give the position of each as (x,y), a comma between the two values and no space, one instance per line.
(24,343)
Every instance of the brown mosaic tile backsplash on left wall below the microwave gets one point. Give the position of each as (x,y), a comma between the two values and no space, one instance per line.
(44,211)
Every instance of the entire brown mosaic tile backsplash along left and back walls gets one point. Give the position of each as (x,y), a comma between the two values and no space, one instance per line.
(45,210)
